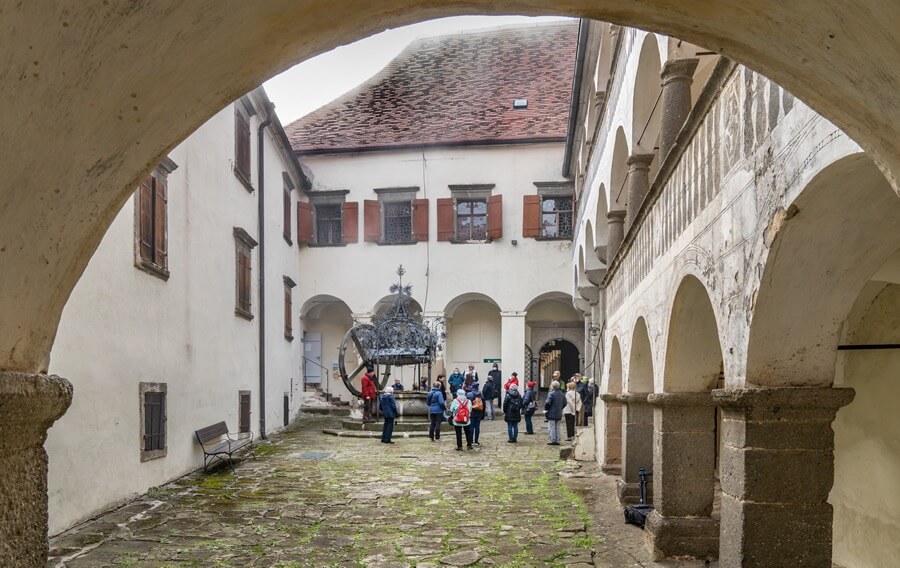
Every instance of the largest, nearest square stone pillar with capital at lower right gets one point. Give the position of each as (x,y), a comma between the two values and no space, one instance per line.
(777,469)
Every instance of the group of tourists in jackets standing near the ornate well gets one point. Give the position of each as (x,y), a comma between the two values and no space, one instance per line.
(467,404)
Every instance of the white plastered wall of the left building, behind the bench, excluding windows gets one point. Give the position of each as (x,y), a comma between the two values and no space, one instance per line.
(125,326)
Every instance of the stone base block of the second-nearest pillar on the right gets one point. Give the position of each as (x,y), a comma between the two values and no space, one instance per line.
(682,537)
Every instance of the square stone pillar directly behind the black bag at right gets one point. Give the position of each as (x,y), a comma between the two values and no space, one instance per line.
(637,445)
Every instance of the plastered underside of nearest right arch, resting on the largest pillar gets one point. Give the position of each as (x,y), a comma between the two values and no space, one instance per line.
(826,246)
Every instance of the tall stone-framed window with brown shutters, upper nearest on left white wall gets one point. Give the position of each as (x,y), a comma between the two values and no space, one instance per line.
(158,177)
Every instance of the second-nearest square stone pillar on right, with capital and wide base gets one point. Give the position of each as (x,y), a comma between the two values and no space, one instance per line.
(684,456)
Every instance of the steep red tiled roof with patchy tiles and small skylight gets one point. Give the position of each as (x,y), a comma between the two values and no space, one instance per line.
(454,89)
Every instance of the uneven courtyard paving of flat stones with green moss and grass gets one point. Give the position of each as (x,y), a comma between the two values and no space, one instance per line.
(309,499)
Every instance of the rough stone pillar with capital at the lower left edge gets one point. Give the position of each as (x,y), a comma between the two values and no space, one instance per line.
(29,405)
